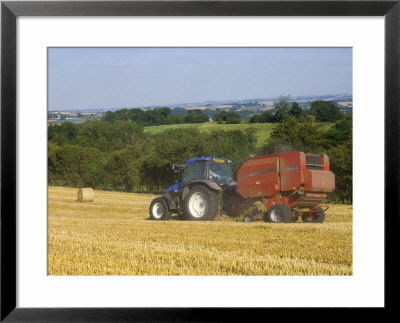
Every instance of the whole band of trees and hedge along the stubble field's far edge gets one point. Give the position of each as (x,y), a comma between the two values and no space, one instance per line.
(120,156)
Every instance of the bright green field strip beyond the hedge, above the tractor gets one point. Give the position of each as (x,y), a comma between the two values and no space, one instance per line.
(263,130)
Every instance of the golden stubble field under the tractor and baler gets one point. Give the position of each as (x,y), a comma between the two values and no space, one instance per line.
(113,236)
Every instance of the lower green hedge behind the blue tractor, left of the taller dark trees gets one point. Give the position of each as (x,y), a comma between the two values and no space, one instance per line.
(120,156)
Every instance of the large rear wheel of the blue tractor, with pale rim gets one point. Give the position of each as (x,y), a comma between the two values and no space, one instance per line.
(201,204)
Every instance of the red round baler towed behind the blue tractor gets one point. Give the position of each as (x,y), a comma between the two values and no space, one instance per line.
(293,182)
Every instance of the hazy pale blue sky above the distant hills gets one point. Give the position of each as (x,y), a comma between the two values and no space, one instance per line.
(102,78)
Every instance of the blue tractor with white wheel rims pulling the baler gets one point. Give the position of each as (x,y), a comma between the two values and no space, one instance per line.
(199,194)
